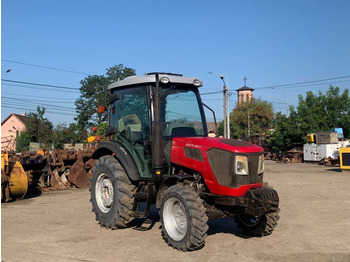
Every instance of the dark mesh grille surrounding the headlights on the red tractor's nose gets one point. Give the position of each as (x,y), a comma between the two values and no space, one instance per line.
(222,163)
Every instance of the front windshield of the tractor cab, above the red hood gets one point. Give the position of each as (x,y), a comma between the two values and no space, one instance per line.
(180,112)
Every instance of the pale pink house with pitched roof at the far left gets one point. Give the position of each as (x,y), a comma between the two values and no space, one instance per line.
(11,127)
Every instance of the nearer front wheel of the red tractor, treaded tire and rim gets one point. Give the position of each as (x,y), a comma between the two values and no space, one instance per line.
(183,218)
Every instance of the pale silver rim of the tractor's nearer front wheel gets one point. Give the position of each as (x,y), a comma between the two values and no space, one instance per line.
(175,219)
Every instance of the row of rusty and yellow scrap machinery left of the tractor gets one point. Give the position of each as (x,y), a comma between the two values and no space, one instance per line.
(32,173)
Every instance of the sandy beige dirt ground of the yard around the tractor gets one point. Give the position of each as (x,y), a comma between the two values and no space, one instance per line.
(314,226)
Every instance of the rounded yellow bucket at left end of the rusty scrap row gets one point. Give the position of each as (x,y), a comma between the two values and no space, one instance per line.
(18,180)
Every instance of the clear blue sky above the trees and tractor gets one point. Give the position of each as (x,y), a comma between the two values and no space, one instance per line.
(283,48)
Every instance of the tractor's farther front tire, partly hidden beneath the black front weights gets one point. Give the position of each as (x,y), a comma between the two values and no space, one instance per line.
(257,226)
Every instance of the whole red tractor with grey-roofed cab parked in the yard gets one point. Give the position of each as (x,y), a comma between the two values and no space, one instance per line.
(158,152)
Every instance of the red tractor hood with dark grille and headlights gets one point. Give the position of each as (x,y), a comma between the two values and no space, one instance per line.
(217,159)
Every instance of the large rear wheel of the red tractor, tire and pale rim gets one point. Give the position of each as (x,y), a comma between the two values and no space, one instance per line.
(112,194)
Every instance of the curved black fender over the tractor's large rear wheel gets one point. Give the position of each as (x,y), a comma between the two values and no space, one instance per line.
(120,153)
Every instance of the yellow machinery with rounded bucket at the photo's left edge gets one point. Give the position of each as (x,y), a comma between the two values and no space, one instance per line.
(14,181)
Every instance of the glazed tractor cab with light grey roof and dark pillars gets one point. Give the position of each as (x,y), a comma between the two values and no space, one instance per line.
(147,112)
